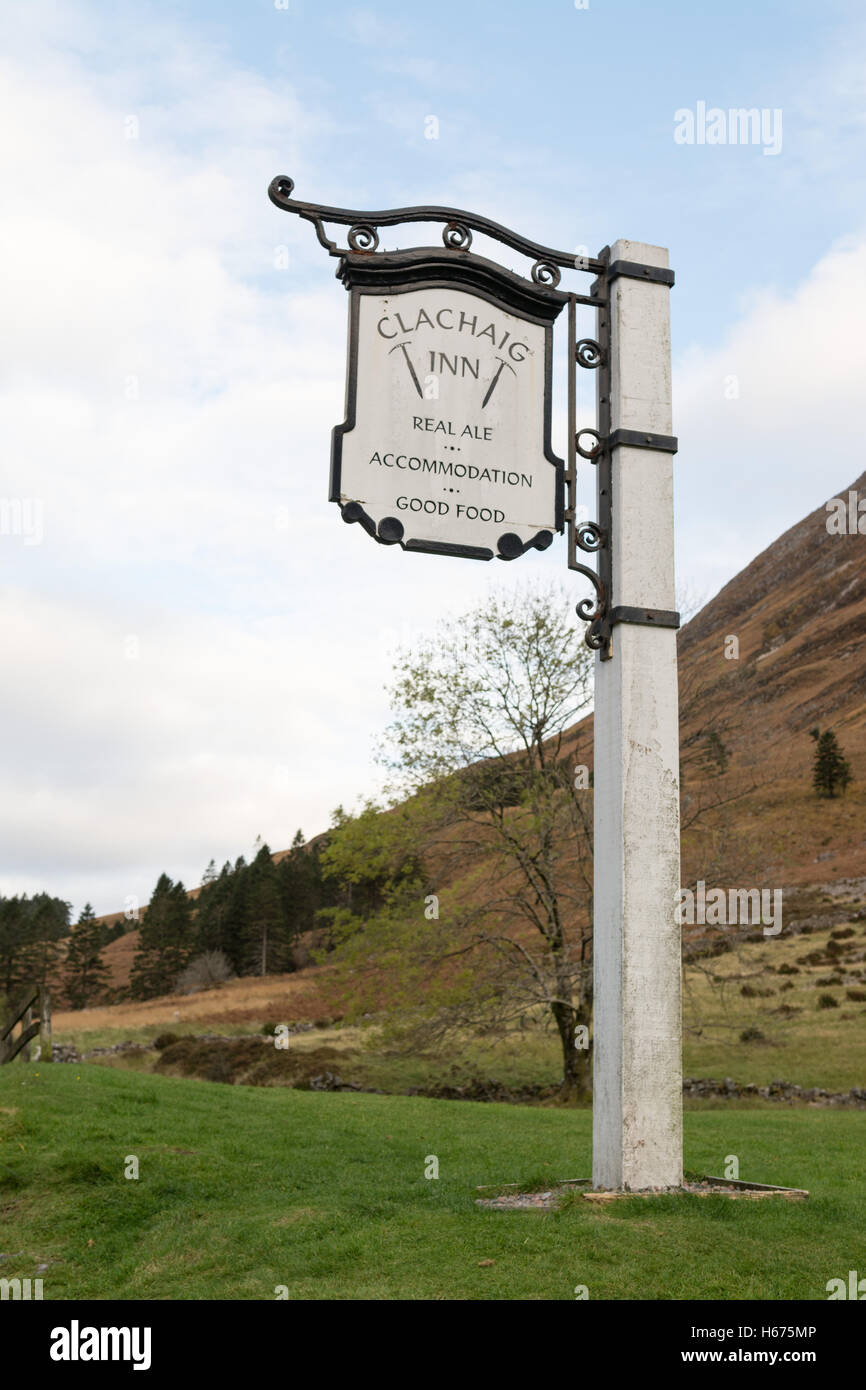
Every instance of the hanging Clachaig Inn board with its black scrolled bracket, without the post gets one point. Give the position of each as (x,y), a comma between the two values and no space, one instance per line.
(447,441)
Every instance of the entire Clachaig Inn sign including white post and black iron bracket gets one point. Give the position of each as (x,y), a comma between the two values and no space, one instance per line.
(447,450)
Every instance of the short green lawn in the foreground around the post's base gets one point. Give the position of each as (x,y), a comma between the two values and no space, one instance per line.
(245,1189)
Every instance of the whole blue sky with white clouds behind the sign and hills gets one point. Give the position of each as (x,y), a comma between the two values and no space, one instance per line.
(195,648)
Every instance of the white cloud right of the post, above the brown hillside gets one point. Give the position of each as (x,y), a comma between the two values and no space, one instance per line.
(754,462)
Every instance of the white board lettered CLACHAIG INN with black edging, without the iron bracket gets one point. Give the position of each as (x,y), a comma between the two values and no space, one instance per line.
(447,439)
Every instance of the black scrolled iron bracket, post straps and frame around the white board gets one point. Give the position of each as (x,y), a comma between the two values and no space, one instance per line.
(365,270)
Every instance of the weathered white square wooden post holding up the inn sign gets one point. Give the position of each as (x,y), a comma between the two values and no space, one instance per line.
(637,1114)
